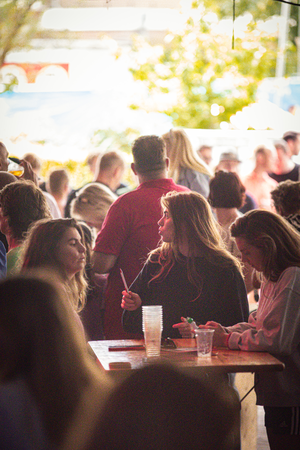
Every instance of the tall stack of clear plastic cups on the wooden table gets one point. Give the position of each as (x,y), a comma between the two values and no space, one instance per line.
(152,328)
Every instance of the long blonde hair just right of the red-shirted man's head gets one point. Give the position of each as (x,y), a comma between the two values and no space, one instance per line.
(181,154)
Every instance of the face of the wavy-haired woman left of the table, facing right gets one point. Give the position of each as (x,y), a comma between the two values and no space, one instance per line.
(71,252)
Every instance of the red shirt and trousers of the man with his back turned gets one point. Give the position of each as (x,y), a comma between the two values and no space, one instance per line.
(130,231)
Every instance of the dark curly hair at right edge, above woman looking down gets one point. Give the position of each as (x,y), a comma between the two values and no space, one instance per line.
(286,197)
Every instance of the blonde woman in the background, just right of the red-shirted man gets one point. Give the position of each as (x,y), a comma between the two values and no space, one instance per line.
(186,168)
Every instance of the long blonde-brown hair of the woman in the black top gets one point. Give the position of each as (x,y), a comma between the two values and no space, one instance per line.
(193,218)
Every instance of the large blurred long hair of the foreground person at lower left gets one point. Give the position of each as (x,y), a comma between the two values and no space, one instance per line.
(43,346)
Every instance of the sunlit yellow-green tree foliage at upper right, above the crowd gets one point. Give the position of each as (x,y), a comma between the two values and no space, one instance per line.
(196,77)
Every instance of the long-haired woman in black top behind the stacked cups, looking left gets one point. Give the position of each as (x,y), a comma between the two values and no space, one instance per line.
(190,274)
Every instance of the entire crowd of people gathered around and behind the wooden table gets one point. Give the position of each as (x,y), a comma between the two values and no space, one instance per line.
(192,239)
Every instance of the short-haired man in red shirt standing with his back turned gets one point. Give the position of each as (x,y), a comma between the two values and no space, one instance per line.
(130,228)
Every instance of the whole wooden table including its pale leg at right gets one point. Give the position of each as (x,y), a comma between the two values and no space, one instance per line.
(119,364)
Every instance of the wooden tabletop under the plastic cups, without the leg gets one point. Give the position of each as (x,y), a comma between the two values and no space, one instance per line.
(185,356)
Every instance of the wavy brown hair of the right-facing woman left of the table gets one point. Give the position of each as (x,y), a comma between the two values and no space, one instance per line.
(40,251)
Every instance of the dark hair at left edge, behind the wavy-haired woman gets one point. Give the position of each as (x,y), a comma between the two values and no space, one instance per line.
(23,203)
